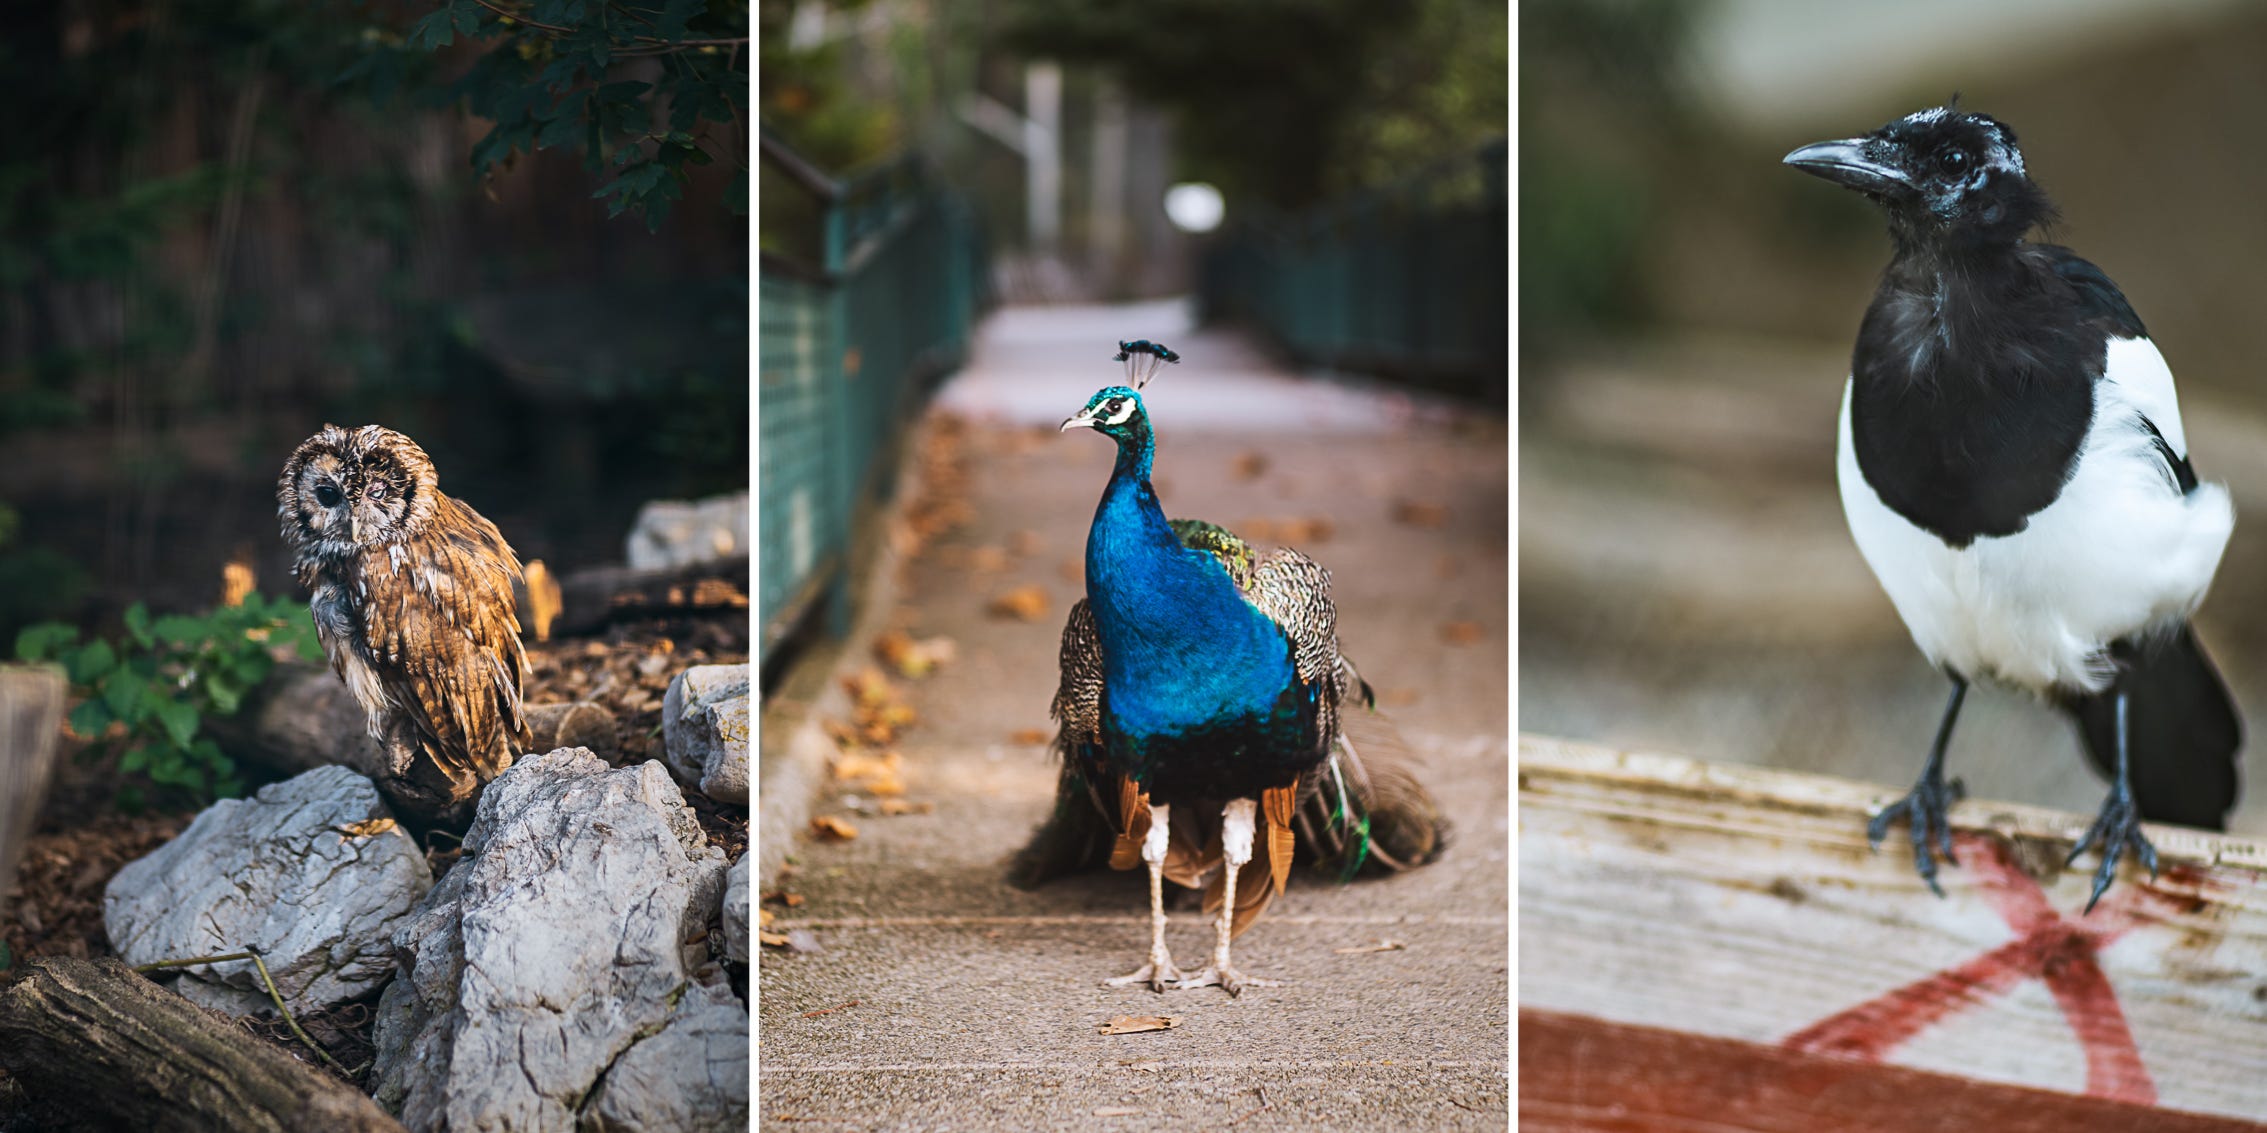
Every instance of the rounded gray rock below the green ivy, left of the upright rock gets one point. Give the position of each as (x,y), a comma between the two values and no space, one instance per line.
(275,874)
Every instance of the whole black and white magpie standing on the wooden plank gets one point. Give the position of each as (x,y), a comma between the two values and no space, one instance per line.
(2014,470)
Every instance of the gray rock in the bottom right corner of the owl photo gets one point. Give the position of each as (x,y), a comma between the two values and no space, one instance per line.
(693,1077)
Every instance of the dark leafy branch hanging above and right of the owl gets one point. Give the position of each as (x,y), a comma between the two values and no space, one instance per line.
(640,90)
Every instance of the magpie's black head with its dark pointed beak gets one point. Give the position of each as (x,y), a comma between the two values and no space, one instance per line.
(1944,176)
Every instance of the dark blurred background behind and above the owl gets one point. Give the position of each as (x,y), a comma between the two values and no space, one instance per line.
(226,223)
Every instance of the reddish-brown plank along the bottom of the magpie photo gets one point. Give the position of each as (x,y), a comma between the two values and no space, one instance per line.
(1606,1077)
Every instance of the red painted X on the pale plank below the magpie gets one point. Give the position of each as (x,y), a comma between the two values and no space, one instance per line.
(2062,953)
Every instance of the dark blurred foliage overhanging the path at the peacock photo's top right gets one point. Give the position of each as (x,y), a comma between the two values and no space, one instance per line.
(1291,101)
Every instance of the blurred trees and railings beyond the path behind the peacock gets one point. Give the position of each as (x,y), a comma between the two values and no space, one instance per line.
(1325,173)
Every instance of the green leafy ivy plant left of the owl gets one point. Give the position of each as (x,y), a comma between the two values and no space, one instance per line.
(164,679)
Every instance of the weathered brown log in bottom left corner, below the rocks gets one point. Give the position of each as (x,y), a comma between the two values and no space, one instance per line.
(99,1041)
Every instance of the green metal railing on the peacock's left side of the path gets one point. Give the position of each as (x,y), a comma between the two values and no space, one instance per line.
(851,343)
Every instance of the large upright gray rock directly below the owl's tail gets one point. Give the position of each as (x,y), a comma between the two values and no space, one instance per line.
(550,953)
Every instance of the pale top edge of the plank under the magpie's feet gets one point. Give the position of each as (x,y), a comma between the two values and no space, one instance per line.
(1547,763)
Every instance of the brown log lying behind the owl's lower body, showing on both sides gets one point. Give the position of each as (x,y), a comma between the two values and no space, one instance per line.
(303,717)
